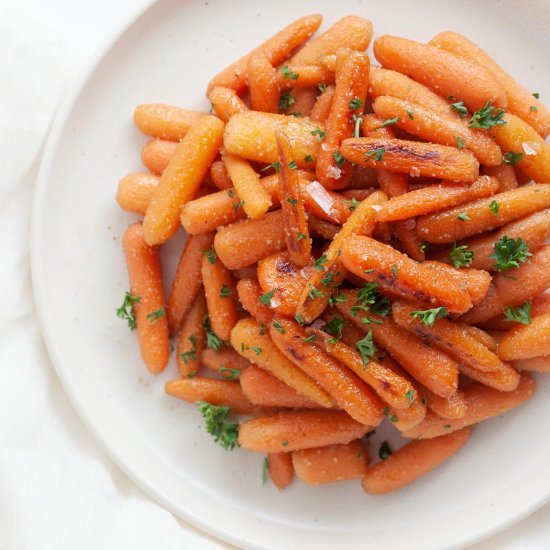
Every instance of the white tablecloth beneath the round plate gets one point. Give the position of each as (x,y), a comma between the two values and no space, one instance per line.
(58,490)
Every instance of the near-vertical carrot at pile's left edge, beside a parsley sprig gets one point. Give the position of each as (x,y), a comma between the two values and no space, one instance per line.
(145,275)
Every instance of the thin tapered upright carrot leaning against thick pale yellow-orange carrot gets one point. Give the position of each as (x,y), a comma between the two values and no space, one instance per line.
(298,241)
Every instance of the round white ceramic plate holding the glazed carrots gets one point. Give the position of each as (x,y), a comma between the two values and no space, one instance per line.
(167,55)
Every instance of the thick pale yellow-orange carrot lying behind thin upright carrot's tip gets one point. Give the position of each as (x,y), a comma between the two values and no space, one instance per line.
(251,135)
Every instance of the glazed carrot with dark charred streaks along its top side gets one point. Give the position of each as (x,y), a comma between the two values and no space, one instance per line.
(420,159)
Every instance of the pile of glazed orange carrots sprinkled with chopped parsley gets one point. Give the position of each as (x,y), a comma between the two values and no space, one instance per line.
(365,244)
